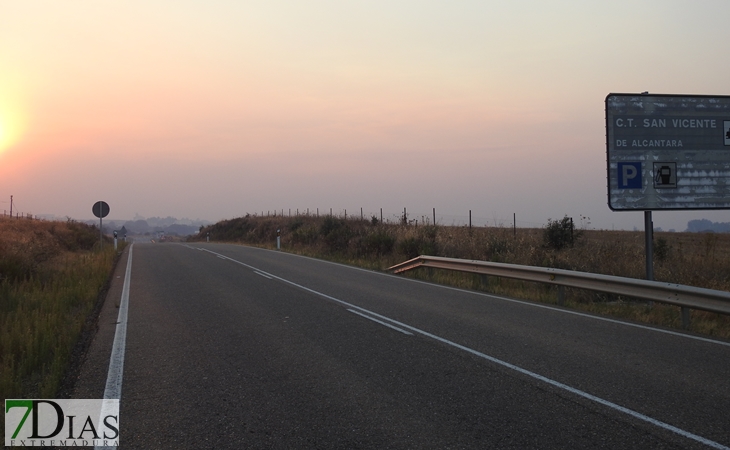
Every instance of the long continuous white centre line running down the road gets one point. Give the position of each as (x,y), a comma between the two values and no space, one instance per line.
(498,361)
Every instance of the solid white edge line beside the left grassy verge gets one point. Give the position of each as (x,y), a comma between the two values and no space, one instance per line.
(113,389)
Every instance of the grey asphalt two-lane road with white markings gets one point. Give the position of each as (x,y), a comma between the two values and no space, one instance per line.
(237,347)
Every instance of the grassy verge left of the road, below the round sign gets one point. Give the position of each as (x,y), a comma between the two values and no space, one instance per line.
(51,275)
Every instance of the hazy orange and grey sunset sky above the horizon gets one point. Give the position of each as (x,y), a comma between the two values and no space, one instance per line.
(213,109)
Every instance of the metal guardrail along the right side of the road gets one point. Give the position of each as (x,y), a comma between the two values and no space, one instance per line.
(674,294)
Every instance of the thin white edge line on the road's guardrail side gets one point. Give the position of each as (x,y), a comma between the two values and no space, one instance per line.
(506,299)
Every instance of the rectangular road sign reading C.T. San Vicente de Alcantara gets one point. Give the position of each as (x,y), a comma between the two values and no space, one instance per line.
(667,152)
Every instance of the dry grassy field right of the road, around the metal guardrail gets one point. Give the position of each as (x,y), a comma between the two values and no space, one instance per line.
(695,259)
